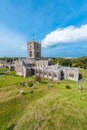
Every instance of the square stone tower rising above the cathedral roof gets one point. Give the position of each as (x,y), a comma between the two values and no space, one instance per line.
(34,50)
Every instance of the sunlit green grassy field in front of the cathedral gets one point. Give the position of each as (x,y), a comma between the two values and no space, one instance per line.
(47,105)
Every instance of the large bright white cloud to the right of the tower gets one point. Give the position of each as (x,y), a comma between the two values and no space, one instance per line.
(69,34)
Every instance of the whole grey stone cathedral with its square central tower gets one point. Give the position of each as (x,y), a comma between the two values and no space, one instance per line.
(35,65)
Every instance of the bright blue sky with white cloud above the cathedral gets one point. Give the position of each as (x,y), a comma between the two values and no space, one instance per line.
(59,25)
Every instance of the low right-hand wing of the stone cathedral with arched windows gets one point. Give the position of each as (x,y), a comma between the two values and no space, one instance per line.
(58,73)
